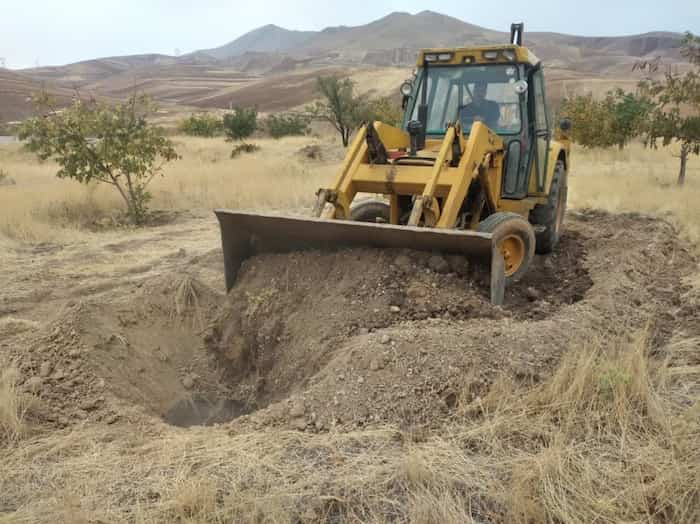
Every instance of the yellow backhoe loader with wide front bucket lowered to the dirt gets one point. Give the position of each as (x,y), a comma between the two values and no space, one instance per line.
(474,169)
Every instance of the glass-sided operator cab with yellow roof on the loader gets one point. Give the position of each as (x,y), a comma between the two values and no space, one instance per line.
(502,86)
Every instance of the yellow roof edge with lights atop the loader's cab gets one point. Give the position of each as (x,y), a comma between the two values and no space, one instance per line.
(492,54)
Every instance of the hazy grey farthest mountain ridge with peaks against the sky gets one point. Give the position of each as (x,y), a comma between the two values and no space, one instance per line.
(396,38)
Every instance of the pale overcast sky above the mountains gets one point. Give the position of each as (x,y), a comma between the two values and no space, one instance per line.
(52,32)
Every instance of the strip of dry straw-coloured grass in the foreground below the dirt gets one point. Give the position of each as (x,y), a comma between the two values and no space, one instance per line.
(600,441)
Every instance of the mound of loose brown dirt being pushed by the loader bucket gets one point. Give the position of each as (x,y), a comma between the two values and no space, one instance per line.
(359,337)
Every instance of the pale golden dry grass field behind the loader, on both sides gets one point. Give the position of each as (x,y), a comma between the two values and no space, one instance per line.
(40,207)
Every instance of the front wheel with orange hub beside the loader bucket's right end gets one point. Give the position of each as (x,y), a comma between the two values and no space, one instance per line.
(515,238)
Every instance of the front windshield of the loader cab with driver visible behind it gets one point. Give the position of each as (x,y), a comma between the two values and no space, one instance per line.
(468,94)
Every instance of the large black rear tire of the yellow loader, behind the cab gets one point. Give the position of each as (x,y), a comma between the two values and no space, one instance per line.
(551,215)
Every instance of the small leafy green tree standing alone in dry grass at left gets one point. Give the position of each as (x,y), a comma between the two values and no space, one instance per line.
(113,145)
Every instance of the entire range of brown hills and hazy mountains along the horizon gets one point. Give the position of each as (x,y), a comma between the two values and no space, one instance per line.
(262,65)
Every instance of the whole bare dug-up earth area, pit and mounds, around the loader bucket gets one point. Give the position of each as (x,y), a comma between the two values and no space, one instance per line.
(136,327)
